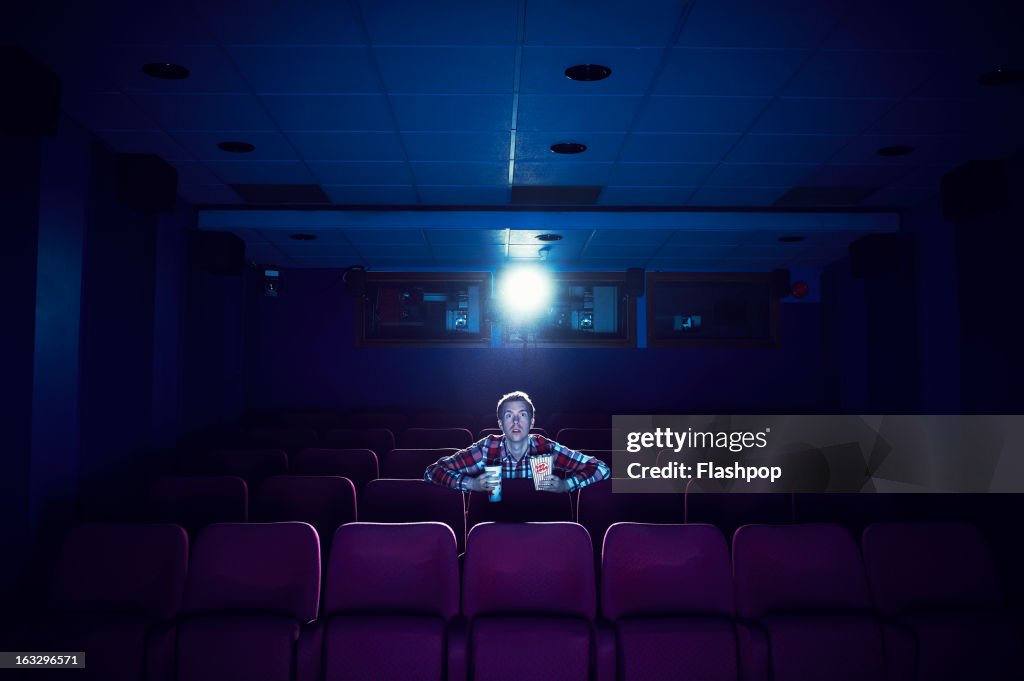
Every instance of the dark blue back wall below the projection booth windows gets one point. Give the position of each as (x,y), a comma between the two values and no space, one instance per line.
(303,353)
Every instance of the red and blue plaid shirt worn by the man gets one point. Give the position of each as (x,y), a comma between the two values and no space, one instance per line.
(578,470)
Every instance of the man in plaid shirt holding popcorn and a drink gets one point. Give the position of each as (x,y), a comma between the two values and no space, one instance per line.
(465,470)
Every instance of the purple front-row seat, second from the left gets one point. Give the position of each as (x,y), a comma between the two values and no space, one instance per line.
(251,589)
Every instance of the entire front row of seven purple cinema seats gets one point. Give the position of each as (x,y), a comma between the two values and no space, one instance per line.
(791,603)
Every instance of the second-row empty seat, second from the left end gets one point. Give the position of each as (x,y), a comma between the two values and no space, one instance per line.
(326,502)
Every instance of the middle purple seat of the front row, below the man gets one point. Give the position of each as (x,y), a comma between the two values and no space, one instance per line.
(530,599)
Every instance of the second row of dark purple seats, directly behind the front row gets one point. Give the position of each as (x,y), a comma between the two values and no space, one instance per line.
(327,501)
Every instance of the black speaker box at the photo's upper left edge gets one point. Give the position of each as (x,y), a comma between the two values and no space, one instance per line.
(32,96)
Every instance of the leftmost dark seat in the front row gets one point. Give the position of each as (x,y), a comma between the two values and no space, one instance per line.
(116,591)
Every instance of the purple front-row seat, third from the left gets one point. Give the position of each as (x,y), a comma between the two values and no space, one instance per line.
(391,593)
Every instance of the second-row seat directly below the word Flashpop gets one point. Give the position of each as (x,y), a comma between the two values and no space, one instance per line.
(730,510)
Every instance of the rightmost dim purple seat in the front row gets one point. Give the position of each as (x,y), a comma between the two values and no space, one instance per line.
(940,580)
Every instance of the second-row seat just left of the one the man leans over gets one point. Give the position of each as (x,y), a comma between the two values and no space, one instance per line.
(414,501)
